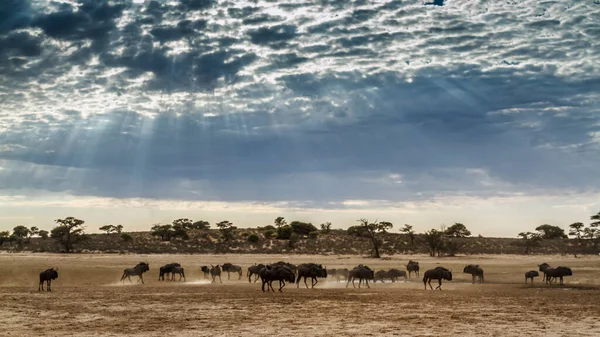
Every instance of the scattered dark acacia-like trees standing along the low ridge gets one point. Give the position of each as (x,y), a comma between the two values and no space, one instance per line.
(438,242)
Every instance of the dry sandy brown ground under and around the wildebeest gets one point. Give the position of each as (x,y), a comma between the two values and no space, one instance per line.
(89,300)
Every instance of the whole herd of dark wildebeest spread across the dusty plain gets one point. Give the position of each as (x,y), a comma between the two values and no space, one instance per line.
(286,272)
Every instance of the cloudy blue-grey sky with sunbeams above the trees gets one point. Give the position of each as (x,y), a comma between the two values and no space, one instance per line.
(426,113)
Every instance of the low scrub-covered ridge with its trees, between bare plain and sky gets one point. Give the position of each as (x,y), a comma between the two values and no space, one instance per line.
(373,238)
